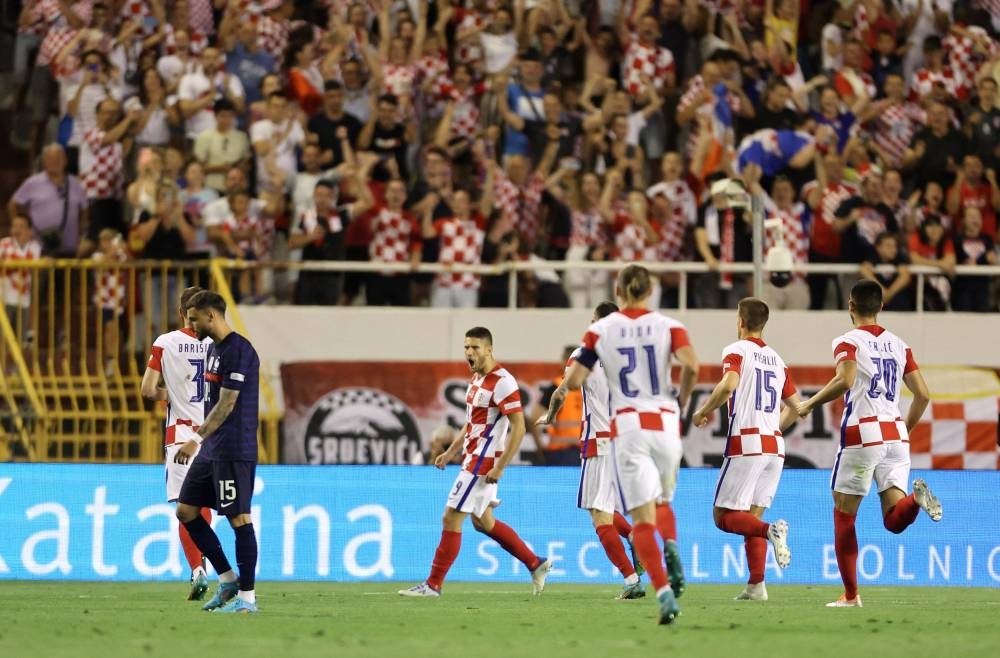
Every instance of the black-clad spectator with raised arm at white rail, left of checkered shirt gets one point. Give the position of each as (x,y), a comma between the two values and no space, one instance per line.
(319,232)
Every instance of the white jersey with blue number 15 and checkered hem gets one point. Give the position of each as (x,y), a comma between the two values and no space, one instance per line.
(755,405)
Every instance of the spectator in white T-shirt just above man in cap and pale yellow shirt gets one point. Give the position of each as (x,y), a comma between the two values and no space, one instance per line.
(199,91)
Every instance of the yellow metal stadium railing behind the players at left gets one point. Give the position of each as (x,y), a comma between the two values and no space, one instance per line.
(74,339)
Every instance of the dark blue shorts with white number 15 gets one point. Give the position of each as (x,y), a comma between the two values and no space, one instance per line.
(225,487)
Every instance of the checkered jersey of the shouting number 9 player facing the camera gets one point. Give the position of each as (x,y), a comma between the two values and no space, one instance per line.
(489,400)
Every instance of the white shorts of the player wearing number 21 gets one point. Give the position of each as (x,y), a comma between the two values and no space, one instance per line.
(646,465)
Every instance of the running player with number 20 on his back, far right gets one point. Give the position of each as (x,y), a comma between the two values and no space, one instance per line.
(874,440)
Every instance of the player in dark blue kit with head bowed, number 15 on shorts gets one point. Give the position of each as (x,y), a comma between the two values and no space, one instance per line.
(222,475)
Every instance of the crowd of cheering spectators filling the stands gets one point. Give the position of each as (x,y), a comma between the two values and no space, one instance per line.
(485,131)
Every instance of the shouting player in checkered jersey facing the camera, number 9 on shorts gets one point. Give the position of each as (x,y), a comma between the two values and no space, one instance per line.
(493,406)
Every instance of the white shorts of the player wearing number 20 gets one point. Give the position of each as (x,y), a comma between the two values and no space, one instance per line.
(888,463)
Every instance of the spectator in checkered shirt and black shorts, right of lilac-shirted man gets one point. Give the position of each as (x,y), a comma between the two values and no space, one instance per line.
(101,165)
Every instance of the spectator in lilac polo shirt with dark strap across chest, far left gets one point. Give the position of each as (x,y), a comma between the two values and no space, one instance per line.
(55,204)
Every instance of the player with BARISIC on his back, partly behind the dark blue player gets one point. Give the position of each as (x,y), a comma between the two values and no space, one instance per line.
(175,374)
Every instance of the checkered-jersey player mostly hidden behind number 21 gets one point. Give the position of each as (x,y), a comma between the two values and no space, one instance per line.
(598,493)
